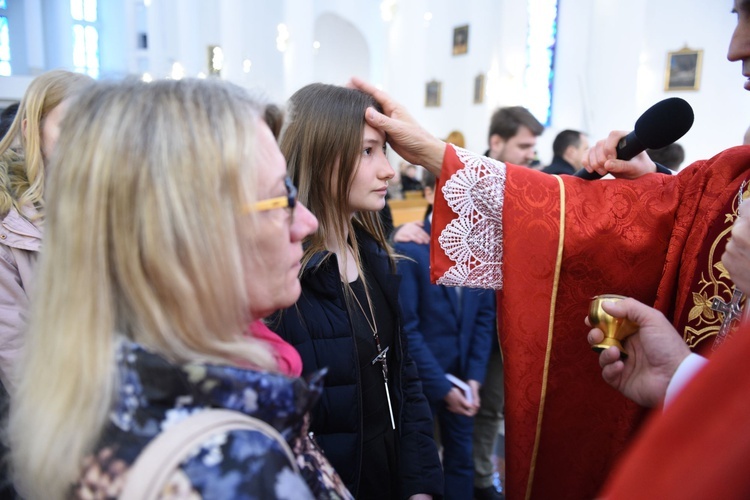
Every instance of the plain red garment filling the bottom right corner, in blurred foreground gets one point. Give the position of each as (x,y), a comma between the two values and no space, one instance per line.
(700,446)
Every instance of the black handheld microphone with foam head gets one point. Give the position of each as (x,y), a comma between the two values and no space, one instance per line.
(659,126)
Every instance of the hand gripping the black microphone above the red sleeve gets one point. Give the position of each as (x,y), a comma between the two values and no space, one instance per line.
(602,158)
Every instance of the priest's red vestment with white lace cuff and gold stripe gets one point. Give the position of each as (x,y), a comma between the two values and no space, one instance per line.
(551,243)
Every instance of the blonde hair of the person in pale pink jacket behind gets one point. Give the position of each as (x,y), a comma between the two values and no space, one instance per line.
(23,178)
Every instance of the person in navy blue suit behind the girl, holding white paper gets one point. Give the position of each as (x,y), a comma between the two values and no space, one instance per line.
(449,332)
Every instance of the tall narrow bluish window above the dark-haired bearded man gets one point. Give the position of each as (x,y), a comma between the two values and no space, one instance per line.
(540,74)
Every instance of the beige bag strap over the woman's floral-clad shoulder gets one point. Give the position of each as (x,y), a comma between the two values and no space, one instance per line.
(160,458)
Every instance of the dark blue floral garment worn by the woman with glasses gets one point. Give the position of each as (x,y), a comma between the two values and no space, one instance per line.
(155,394)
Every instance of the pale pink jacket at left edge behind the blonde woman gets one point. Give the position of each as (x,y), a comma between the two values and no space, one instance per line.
(20,241)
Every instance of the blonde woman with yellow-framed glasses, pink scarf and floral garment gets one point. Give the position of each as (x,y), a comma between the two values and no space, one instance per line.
(171,227)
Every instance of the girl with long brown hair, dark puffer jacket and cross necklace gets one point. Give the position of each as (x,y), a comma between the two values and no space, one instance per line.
(372,421)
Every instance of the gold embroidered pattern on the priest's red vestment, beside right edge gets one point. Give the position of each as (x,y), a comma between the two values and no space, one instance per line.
(703,322)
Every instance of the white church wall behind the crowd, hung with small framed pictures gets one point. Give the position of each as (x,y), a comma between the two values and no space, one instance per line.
(609,64)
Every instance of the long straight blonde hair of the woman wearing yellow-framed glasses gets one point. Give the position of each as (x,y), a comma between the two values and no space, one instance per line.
(144,239)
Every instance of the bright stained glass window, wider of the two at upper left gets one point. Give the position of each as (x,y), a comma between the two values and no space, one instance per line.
(85,37)
